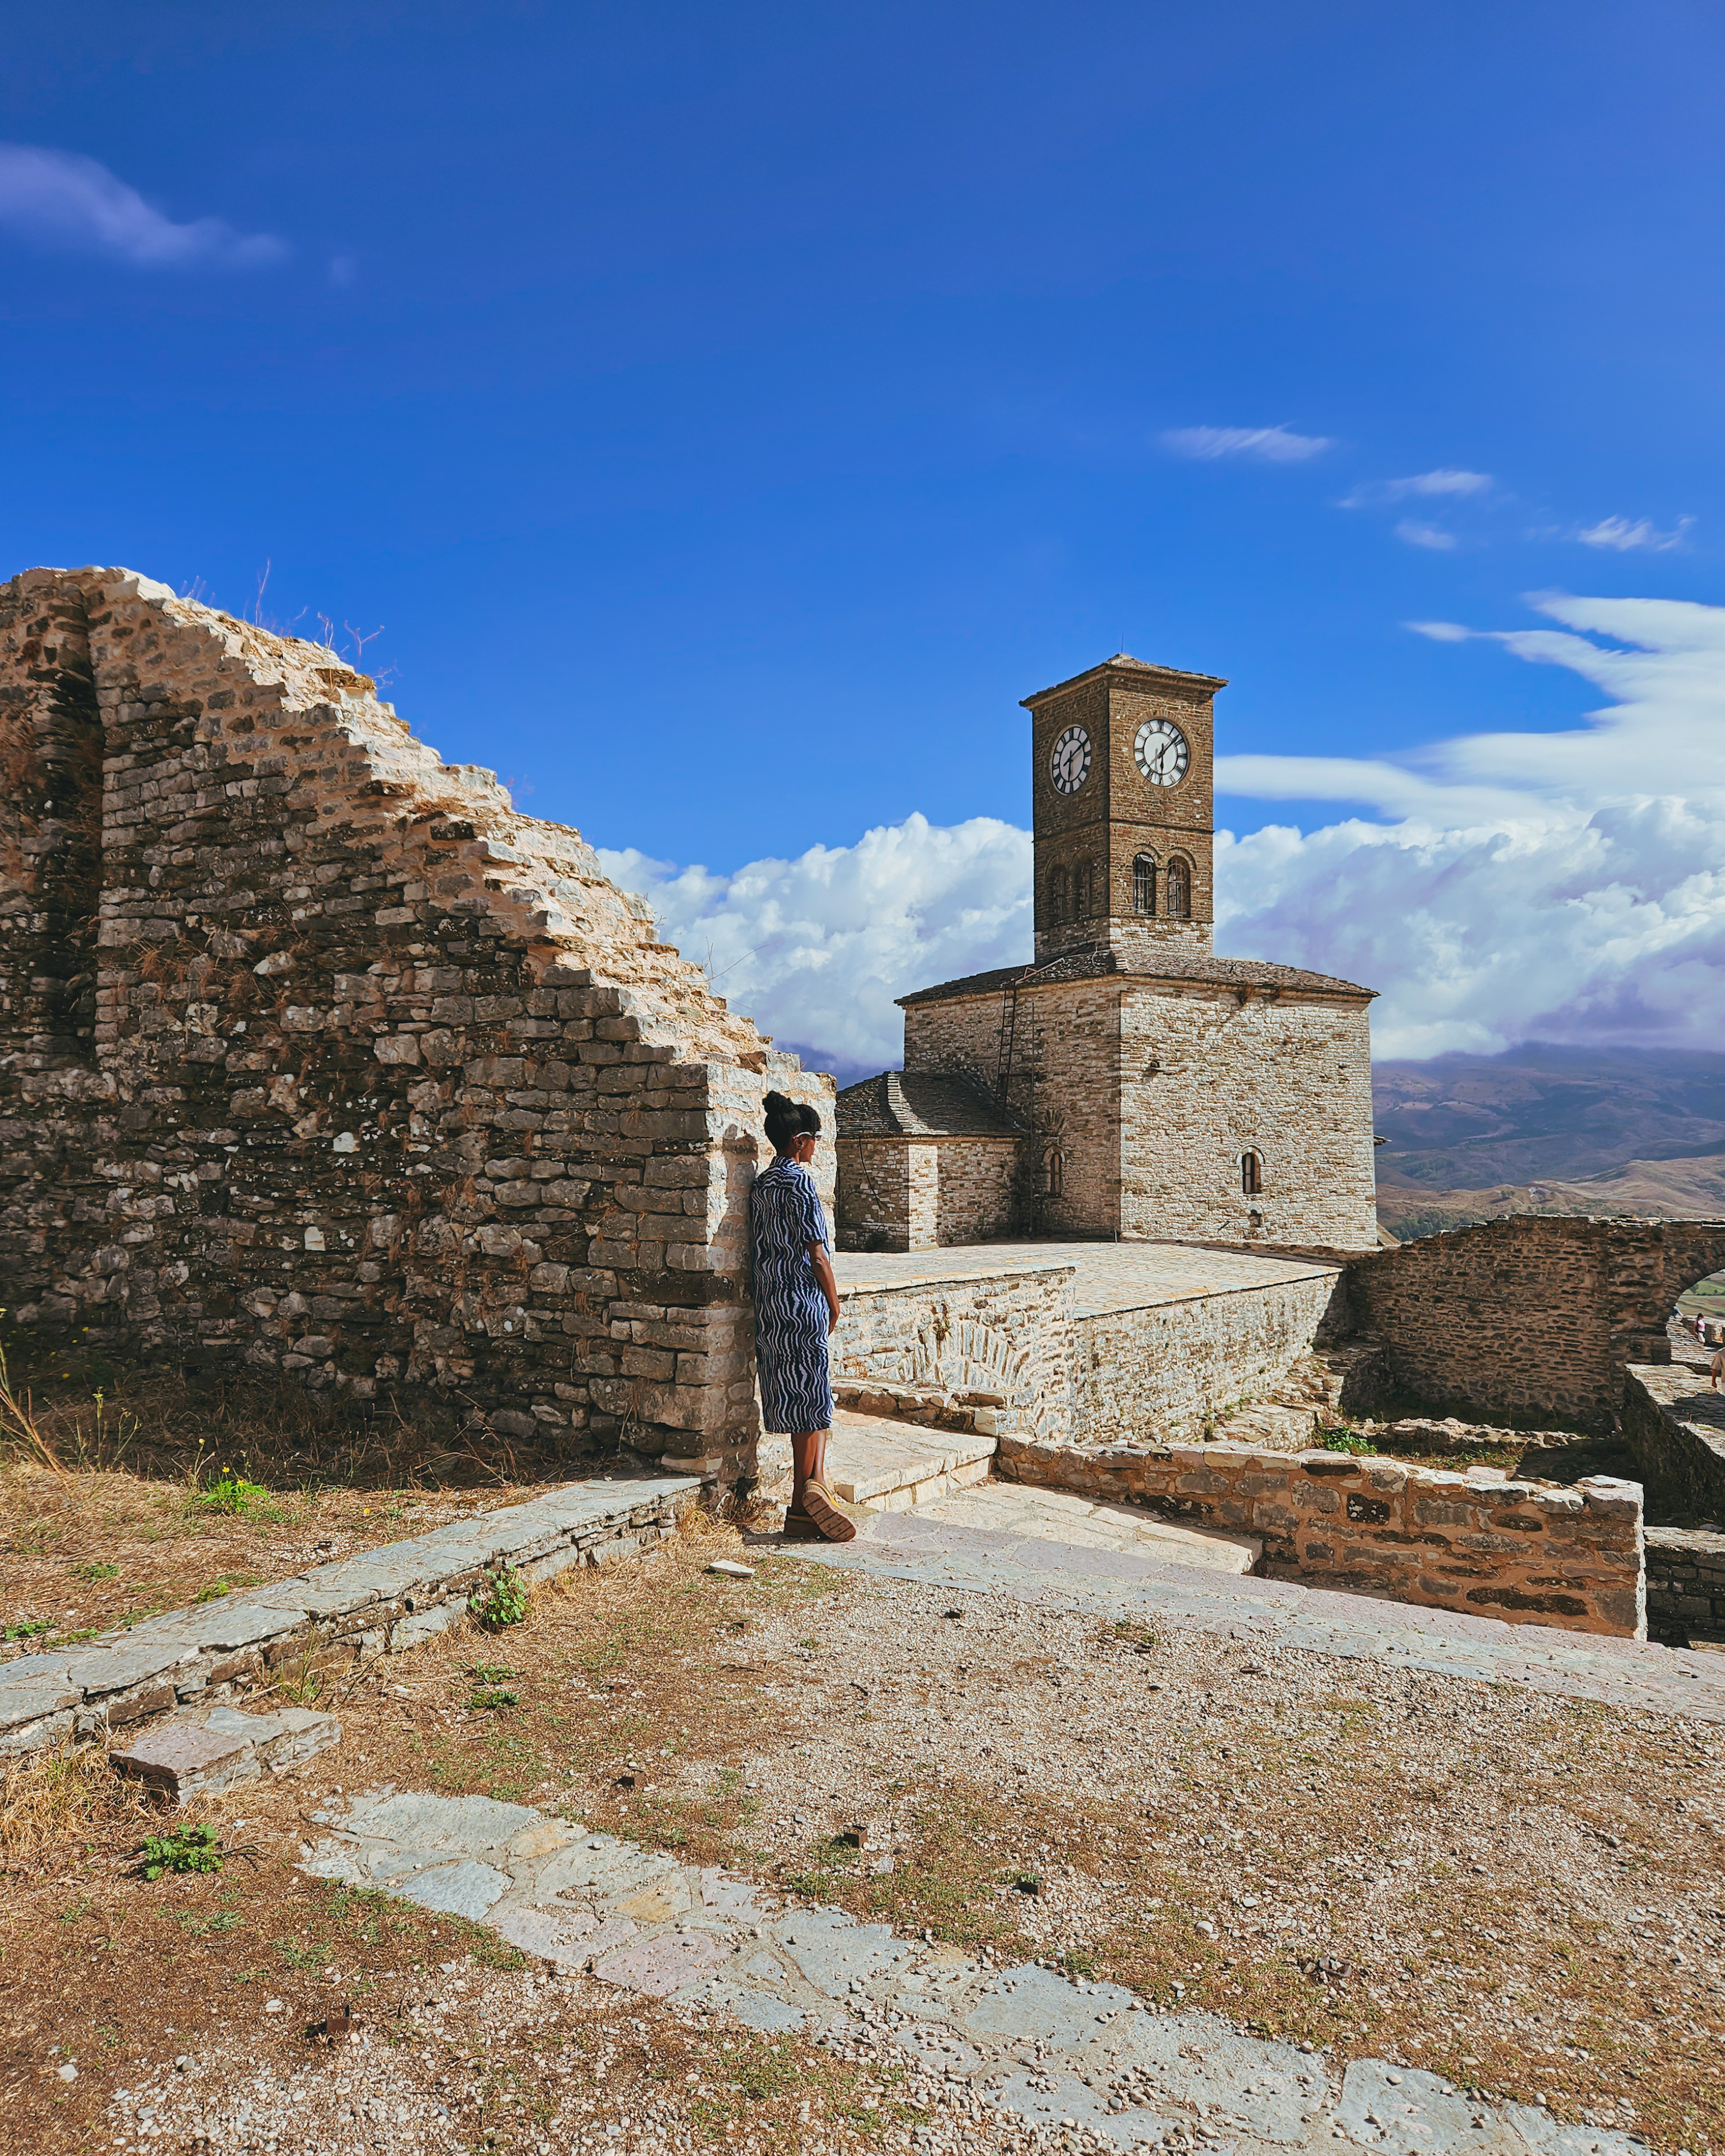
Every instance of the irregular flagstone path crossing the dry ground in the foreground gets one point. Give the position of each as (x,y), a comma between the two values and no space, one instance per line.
(1025,2041)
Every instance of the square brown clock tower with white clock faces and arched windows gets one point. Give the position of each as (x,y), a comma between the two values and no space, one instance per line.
(1122,771)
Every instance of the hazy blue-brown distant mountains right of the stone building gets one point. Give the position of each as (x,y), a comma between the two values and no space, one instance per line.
(1541,1114)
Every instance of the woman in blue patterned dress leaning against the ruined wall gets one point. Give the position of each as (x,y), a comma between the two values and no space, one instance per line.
(797,1308)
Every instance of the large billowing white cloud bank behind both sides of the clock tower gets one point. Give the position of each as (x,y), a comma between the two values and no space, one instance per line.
(1504,887)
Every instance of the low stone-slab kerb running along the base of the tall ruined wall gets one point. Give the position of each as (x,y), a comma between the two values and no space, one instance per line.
(376,1603)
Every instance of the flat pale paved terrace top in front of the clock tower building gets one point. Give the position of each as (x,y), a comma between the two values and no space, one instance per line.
(1107,1275)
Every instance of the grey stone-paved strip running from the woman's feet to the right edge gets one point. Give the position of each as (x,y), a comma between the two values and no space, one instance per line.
(1124,1584)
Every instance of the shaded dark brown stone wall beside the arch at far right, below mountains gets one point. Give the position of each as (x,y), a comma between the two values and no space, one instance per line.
(1532,1318)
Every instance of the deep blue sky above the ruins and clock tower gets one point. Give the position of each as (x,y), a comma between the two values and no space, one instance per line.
(730,415)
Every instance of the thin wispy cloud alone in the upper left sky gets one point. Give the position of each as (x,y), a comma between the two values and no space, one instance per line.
(64,202)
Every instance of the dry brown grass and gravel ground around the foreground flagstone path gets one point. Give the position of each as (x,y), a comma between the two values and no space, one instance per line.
(1515,1892)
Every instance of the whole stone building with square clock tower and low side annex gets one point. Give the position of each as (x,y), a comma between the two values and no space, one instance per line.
(1163,1092)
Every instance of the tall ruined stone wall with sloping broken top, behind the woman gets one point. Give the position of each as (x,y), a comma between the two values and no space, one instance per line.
(383,1083)
